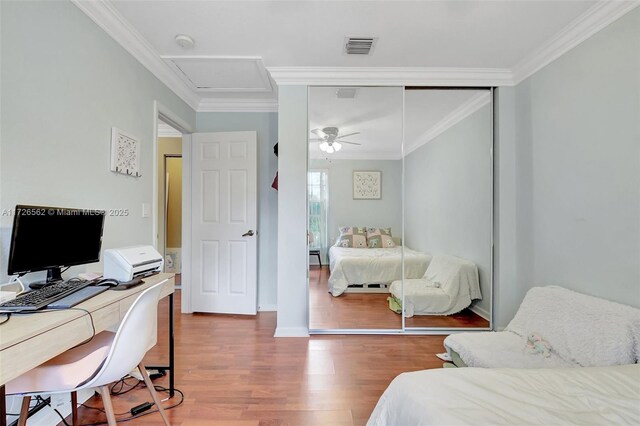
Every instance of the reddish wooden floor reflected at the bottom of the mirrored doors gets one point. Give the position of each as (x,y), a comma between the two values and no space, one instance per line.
(370,310)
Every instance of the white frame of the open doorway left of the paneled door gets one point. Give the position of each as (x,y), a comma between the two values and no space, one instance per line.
(167,115)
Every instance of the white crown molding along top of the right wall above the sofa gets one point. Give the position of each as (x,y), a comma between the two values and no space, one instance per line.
(590,22)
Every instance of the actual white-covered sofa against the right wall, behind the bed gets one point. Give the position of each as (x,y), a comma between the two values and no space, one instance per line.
(581,330)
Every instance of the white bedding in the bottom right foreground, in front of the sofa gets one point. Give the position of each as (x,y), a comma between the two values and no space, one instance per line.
(479,396)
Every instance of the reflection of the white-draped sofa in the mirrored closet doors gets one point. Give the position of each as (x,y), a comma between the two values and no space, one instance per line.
(448,286)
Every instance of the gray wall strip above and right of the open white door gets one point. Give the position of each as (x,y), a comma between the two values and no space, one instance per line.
(266,124)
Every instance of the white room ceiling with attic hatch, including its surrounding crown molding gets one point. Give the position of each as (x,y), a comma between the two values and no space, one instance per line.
(432,42)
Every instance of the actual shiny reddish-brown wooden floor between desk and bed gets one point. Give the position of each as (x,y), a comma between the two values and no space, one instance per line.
(234,372)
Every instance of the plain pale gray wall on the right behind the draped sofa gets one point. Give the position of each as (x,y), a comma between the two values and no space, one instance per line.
(577,174)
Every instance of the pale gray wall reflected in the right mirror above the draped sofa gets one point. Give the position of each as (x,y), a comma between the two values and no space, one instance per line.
(448,196)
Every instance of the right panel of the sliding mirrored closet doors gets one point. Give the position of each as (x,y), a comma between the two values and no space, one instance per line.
(448,186)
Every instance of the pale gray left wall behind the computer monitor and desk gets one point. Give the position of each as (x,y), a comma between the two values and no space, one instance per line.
(64,84)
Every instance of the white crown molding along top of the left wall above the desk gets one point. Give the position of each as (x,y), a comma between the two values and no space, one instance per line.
(111,21)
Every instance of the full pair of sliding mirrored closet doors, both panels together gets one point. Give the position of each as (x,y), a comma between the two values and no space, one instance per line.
(400,199)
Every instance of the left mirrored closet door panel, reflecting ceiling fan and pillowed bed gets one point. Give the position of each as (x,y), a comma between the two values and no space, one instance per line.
(355,206)
